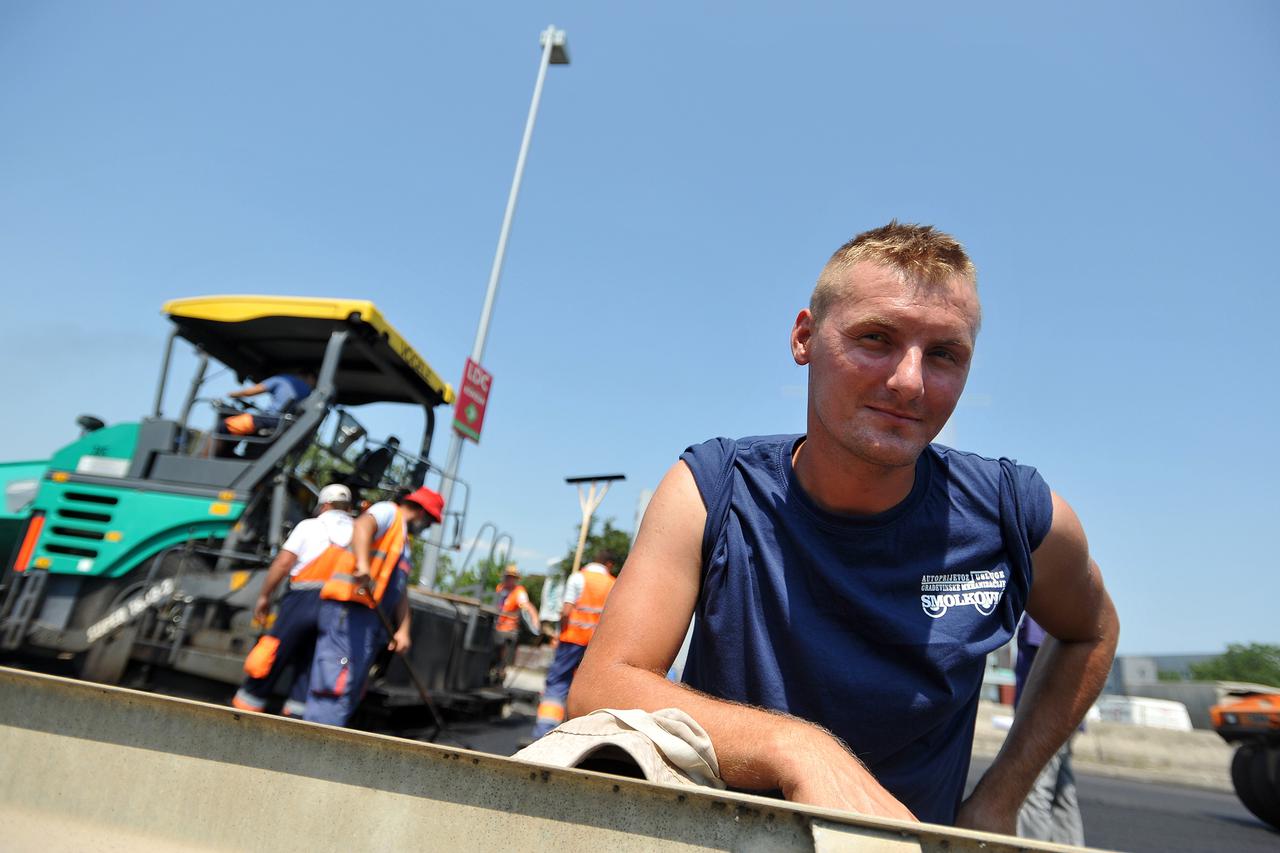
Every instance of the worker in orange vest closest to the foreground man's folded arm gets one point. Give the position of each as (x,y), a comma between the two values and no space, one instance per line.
(584,603)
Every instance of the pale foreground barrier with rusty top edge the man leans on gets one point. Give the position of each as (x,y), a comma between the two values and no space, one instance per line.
(85,767)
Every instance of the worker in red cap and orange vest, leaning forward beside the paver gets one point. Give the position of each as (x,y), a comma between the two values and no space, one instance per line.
(372,574)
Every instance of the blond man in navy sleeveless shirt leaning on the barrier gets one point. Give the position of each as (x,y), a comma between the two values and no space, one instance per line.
(851,582)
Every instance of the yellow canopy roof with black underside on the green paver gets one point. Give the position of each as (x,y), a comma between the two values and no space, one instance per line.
(262,336)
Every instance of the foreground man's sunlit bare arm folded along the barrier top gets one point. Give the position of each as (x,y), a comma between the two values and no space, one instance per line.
(642,630)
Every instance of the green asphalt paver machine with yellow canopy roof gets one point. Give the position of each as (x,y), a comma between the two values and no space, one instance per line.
(135,544)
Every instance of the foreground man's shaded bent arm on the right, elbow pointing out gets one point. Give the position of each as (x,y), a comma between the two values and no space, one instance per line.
(1072,605)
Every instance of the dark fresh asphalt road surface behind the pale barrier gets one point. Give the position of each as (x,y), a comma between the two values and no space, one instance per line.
(1119,815)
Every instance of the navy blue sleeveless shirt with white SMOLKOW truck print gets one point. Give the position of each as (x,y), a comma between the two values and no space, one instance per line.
(874,627)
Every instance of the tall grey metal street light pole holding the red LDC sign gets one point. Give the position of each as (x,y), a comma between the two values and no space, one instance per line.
(555,53)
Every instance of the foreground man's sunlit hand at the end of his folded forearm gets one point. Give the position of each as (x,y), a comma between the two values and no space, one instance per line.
(820,772)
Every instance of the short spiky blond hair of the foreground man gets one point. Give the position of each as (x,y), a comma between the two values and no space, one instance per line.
(921,254)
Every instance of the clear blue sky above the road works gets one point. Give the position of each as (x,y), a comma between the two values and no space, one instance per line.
(1113,170)
